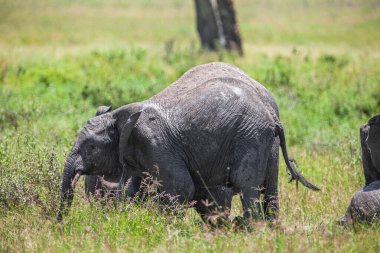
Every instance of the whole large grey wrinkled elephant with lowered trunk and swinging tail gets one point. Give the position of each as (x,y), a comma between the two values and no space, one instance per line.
(213,133)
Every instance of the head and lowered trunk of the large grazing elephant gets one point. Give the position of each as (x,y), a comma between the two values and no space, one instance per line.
(96,151)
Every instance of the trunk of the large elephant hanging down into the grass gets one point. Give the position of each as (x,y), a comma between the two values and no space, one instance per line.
(69,179)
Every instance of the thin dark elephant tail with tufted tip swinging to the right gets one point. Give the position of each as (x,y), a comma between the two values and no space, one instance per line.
(292,171)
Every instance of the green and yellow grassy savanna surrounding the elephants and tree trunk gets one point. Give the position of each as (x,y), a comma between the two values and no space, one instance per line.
(60,60)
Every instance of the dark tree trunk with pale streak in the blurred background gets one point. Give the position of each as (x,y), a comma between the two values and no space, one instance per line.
(217,25)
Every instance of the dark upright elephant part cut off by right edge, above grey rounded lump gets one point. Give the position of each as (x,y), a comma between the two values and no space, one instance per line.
(370,142)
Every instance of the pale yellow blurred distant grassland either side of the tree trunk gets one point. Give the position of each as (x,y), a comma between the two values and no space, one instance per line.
(52,28)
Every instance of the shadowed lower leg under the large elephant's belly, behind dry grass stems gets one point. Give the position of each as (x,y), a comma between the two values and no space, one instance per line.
(214,204)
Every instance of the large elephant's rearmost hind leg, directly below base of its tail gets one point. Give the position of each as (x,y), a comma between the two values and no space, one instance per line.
(270,192)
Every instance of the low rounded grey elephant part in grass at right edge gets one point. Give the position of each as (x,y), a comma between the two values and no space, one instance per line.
(364,206)
